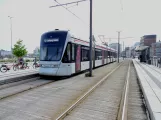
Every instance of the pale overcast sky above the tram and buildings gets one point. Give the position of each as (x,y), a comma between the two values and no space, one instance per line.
(31,18)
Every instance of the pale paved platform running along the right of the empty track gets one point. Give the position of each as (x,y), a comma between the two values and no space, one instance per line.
(150,81)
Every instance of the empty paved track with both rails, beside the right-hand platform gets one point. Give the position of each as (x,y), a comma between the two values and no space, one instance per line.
(116,96)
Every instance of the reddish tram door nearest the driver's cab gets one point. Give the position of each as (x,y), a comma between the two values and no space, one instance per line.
(78,58)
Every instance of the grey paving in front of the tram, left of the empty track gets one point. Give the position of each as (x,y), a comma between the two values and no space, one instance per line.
(45,102)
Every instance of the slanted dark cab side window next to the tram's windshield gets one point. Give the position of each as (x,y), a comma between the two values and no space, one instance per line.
(67,54)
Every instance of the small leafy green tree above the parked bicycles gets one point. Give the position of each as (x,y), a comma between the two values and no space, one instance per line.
(19,49)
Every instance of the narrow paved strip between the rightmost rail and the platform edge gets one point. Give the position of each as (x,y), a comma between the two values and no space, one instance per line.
(136,105)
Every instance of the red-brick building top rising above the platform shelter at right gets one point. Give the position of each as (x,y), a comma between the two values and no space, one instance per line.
(147,40)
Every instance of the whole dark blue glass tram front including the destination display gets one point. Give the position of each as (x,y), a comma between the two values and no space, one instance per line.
(52,44)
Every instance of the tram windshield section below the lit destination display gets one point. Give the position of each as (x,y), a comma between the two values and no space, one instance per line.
(52,53)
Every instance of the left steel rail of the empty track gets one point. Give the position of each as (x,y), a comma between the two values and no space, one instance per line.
(66,112)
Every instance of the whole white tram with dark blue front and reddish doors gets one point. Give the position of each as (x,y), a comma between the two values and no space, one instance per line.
(63,55)
